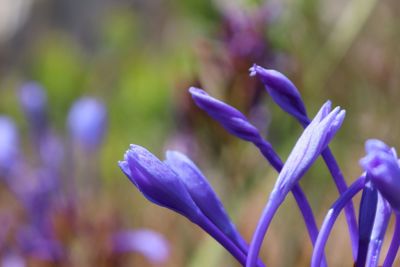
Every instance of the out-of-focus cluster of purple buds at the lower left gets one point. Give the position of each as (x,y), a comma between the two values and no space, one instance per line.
(51,220)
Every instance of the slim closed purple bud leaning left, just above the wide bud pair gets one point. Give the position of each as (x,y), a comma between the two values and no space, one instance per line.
(229,117)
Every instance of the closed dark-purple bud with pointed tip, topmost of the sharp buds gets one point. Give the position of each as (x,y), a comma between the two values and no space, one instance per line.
(282,91)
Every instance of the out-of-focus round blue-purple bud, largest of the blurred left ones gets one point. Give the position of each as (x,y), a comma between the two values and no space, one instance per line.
(87,122)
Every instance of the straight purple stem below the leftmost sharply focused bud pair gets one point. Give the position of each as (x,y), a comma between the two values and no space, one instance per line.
(228,244)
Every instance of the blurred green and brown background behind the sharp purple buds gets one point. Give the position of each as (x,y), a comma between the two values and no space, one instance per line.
(137,59)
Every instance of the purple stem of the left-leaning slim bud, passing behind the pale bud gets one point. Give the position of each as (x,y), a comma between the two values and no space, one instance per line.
(298,194)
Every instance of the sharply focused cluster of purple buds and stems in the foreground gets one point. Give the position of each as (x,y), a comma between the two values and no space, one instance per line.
(179,185)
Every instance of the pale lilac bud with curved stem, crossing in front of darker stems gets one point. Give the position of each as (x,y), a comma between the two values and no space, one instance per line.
(309,146)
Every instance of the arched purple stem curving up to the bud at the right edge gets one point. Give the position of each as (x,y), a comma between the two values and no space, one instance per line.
(331,217)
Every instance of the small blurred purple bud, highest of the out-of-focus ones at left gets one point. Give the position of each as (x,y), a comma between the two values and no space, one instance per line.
(34,103)
